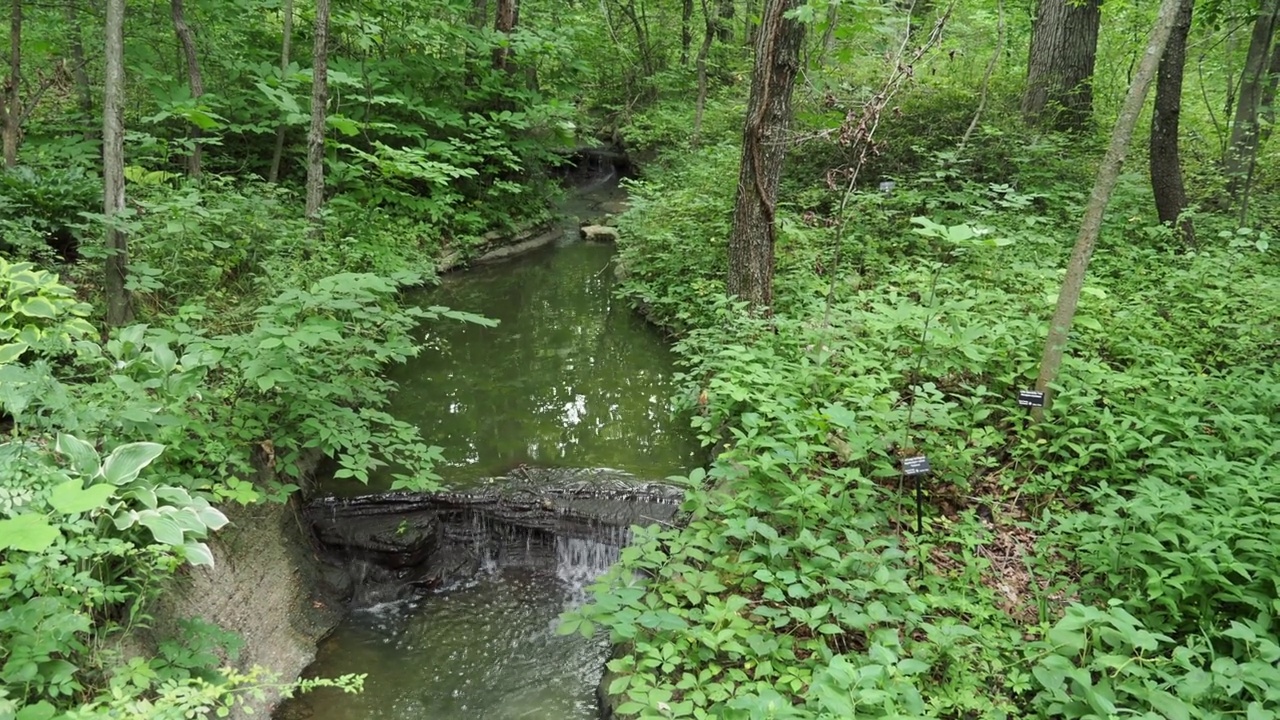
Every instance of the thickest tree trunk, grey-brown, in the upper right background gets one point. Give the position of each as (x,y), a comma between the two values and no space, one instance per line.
(1060,67)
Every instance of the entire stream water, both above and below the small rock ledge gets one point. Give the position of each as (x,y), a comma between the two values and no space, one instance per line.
(569,379)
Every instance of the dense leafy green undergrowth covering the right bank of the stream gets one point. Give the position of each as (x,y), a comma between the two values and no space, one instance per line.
(1117,559)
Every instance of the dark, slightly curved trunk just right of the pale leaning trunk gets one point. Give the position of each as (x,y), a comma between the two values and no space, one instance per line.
(1167,168)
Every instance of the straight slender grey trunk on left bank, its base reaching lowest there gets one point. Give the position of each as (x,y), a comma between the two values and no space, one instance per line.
(120,309)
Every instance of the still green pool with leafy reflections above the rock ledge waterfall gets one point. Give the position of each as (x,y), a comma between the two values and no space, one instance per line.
(570,376)
